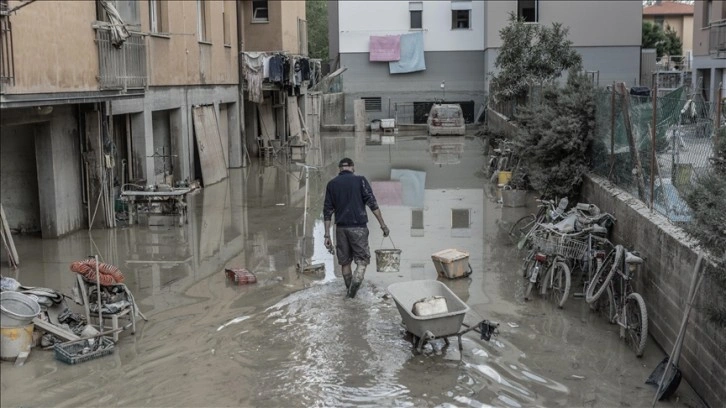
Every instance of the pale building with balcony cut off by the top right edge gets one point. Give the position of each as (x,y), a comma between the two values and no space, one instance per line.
(709,47)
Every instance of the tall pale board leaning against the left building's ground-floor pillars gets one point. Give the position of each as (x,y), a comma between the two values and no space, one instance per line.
(209,143)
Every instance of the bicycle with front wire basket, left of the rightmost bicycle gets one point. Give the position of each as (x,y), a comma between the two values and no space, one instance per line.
(551,252)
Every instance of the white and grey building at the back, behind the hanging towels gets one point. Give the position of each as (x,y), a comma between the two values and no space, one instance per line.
(460,44)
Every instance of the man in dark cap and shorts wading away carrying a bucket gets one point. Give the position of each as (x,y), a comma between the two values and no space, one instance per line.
(347,195)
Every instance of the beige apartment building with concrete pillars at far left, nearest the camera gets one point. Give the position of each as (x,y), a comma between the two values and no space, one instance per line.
(98,94)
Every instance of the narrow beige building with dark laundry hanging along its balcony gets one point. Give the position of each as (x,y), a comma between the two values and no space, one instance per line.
(275,35)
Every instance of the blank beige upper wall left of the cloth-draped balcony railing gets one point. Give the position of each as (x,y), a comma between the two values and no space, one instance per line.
(53,47)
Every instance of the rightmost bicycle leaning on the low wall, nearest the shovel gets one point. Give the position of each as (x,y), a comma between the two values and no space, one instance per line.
(622,305)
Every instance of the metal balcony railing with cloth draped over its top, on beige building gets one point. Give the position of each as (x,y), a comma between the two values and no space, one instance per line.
(123,67)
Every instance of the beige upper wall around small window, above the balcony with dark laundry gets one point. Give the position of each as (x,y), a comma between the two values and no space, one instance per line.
(263,36)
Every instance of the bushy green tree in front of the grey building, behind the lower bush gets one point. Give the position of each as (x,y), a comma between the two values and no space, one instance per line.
(531,55)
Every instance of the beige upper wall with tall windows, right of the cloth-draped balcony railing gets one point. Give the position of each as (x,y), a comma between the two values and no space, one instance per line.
(182,59)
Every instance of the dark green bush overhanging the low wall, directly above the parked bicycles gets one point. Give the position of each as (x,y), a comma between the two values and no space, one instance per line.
(556,135)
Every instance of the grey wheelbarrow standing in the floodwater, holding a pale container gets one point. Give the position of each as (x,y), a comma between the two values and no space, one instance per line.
(435,326)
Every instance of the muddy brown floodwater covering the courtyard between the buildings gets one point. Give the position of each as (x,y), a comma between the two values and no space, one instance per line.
(294,340)
